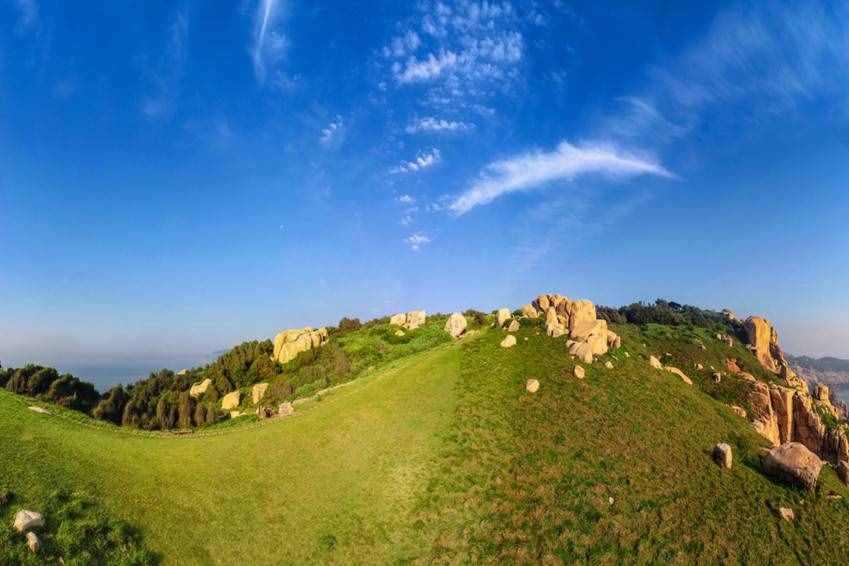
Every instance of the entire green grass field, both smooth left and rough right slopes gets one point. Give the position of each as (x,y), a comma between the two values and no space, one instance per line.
(442,456)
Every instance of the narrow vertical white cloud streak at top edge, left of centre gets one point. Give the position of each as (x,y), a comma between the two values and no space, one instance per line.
(269,41)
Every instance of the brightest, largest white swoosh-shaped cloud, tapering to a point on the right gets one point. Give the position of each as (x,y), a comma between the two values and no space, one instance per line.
(566,163)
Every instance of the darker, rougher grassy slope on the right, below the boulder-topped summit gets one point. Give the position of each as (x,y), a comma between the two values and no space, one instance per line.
(531,478)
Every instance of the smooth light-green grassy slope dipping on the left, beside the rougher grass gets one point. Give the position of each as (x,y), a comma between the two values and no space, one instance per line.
(340,475)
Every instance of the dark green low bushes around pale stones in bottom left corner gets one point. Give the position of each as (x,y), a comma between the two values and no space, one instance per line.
(76,532)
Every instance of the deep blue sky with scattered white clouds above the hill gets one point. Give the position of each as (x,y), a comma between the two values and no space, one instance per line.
(176,177)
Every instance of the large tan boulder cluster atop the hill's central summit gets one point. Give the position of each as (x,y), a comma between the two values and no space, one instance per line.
(588,335)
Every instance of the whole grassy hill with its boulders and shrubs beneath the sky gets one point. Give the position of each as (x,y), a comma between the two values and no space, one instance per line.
(555,433)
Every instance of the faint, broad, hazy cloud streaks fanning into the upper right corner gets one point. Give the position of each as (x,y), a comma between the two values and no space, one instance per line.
(767,57)
